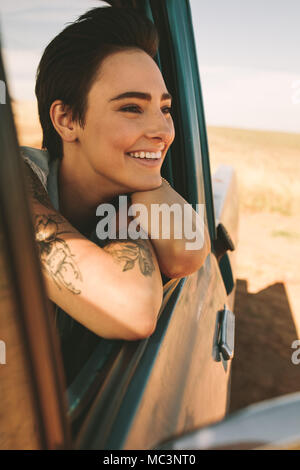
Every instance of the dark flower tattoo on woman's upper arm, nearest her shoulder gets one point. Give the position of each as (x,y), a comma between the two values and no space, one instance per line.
(55,254)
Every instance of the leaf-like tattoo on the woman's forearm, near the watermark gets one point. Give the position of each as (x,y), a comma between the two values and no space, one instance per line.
(131,252)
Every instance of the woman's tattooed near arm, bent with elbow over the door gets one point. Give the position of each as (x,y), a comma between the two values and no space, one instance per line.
(115,291)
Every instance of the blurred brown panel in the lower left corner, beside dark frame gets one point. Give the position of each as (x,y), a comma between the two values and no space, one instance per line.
(17,430)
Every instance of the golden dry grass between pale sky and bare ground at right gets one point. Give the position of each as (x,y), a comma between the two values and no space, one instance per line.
(267,164)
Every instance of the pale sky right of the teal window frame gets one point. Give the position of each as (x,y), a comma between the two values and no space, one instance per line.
(249,61)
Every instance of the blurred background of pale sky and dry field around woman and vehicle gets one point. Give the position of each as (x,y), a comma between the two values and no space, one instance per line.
(250,74)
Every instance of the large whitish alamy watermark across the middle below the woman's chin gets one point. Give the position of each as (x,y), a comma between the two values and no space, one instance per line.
(164,222)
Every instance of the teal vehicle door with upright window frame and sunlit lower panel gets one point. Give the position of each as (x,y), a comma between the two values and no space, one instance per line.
(178,381)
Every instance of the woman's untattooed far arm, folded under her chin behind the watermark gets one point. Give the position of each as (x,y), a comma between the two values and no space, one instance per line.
(174,258)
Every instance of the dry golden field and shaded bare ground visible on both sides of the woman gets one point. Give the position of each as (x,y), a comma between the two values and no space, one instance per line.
(268,288)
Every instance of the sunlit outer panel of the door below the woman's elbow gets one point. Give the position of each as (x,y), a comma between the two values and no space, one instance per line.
(187,387)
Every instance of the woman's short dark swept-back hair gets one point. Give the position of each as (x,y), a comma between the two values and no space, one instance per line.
(70,62)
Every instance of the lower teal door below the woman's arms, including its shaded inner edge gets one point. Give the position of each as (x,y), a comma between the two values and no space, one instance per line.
(177,383)
